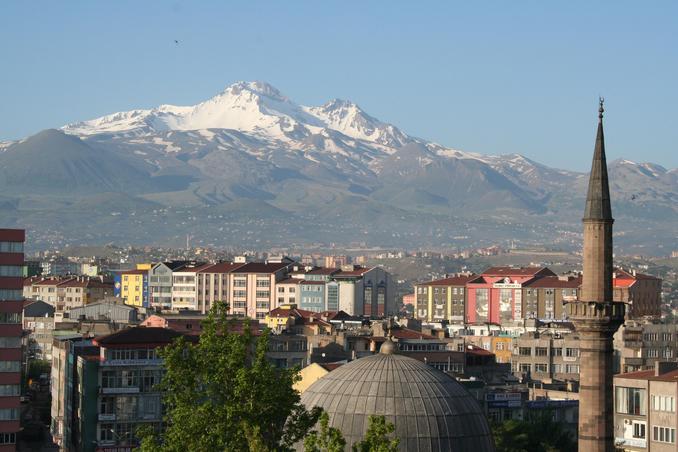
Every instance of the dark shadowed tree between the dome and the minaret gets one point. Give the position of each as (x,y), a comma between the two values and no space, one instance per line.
(539,432)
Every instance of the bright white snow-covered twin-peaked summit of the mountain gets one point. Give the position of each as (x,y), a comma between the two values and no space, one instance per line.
(251,107)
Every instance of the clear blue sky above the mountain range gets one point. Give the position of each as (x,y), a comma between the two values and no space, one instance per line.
(489,77)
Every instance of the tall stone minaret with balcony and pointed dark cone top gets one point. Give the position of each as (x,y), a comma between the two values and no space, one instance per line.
(595,316)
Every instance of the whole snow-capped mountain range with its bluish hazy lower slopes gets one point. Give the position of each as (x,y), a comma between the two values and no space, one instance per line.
(250,147)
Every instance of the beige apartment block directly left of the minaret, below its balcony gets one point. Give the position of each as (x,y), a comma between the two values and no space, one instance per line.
(546,357)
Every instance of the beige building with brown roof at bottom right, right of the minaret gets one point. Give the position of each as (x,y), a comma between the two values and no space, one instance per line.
(645,409)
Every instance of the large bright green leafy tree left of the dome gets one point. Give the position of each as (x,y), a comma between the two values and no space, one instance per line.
(221,393)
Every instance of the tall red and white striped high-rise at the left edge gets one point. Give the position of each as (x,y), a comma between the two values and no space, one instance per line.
(11,306)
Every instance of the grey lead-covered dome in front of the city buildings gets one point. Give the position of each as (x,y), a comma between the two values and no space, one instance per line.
(430,410)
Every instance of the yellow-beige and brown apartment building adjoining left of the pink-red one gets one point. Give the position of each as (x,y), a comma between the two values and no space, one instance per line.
(442,299)
